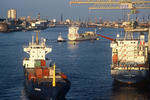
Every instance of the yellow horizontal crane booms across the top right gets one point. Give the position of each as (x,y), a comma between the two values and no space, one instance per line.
(115,4)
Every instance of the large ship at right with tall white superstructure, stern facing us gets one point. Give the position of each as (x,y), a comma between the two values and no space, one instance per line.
(130,57)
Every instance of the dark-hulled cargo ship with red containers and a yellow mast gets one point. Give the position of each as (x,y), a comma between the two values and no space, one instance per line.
(43,80)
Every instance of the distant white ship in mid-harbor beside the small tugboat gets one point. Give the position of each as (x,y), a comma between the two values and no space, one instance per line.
(73,34)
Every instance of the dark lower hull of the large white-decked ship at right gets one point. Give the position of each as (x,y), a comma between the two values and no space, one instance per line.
(130,76)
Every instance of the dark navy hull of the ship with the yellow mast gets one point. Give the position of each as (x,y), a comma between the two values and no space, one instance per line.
(45,90)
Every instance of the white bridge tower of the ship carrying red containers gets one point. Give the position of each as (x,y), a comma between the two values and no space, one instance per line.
(37,51)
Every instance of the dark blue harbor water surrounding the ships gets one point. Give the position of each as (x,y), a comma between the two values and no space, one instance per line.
(86,63)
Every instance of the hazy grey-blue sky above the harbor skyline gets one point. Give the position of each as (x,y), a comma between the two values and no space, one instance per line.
(53,9)
